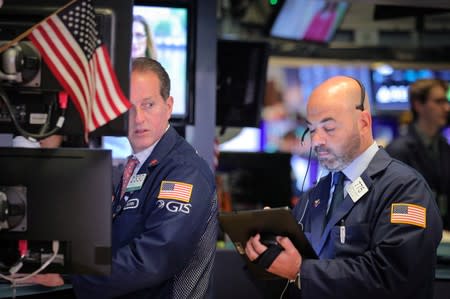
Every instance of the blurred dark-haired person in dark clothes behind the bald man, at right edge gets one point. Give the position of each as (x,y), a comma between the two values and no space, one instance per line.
(423,146)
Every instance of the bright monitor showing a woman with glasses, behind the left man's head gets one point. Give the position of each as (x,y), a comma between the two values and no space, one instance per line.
(163,32)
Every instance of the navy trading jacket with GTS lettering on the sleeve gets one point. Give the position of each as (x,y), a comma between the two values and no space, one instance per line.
(162,247)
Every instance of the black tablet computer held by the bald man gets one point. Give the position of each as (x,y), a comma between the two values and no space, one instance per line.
(241,225)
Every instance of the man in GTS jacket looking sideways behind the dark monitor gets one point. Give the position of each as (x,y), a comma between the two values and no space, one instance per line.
(164,219)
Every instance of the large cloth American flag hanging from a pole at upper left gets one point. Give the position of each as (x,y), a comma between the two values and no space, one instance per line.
(69,43)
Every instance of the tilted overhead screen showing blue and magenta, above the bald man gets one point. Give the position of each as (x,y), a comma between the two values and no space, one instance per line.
(308,20)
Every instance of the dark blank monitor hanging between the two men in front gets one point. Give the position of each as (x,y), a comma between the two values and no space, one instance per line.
(241,79)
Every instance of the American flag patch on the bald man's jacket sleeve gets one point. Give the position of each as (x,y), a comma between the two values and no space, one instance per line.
(408,214)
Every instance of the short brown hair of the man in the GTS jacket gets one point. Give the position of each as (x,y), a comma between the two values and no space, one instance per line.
(145,64)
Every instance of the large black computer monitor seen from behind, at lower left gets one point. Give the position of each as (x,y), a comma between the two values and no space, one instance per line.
(63,194)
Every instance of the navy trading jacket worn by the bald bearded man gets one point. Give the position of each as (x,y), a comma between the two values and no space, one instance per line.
(376,258)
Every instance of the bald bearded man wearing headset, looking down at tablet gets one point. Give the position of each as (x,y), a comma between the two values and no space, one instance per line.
(375,230)
